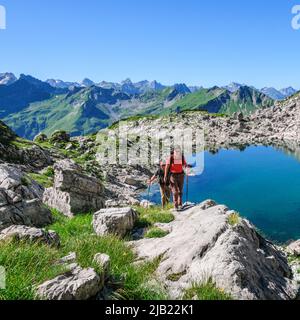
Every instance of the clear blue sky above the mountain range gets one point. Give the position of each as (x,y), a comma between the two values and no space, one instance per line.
(193,41)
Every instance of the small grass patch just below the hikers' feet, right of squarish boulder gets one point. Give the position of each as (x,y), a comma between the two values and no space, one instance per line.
(149,216)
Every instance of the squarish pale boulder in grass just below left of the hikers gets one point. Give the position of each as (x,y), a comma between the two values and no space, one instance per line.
(116,221)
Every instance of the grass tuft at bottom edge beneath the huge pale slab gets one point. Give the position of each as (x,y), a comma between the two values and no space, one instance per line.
(206,291)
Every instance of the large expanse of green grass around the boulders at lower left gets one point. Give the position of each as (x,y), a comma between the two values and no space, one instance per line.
(29,264)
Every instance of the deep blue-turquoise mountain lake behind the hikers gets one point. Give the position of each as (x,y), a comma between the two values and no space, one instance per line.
(261,183)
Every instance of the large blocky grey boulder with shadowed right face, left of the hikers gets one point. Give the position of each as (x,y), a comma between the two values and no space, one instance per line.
(74,192)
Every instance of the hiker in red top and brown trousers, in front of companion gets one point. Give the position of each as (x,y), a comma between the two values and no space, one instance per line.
(174,166)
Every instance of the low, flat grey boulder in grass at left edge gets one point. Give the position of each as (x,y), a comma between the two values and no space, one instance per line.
(21,233)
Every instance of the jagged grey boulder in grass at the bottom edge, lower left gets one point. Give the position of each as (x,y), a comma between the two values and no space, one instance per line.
(76,284)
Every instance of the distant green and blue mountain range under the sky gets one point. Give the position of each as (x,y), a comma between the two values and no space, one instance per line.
(31,106)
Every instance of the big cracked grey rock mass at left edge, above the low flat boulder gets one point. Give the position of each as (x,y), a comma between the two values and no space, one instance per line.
(20,202)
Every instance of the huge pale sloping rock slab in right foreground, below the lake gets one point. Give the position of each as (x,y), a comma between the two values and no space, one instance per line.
(202,245)
